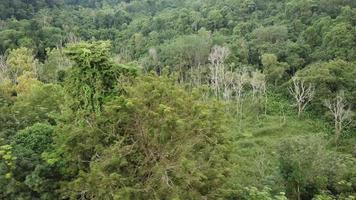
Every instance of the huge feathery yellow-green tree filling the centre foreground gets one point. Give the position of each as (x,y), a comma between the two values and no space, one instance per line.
(155,142)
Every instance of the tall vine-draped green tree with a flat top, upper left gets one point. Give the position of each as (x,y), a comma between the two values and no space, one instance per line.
(93,76)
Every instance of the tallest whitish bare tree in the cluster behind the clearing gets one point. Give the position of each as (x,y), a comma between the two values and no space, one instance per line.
(217,58)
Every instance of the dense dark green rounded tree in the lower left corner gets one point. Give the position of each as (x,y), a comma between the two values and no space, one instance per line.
(31,174)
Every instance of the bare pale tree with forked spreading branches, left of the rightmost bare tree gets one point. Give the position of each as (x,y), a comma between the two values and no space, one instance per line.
(301,93)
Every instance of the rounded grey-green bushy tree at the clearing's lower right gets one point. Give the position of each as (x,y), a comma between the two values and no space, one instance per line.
(303,164)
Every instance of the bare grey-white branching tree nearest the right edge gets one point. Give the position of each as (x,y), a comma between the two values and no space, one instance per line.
(341,112)
